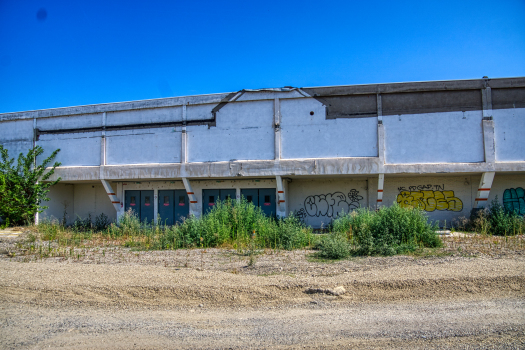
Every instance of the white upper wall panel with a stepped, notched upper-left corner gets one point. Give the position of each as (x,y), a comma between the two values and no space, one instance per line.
(244,131)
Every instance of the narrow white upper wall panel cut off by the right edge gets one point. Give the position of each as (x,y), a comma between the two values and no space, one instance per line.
(509,134)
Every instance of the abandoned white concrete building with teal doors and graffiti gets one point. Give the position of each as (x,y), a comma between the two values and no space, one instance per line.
(444,146)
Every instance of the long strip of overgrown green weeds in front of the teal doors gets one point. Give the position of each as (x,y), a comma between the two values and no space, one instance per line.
(238,224)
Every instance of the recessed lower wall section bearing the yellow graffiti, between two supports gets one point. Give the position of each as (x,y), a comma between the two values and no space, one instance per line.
(442,198)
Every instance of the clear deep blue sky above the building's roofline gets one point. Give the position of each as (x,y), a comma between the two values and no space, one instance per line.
(65,53)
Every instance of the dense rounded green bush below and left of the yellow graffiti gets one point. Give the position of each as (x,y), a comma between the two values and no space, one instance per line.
(391,230)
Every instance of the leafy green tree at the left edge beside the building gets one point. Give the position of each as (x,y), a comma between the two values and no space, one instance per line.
(23,185)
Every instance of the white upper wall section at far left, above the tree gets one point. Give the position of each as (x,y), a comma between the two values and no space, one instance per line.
(16,137)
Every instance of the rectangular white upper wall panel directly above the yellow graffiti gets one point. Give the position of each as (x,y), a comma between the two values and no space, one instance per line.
(453,137)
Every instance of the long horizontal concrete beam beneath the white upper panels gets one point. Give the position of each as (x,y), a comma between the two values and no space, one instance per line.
(272,168)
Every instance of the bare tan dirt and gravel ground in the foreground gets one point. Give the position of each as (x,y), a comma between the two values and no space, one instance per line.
(109,297)
